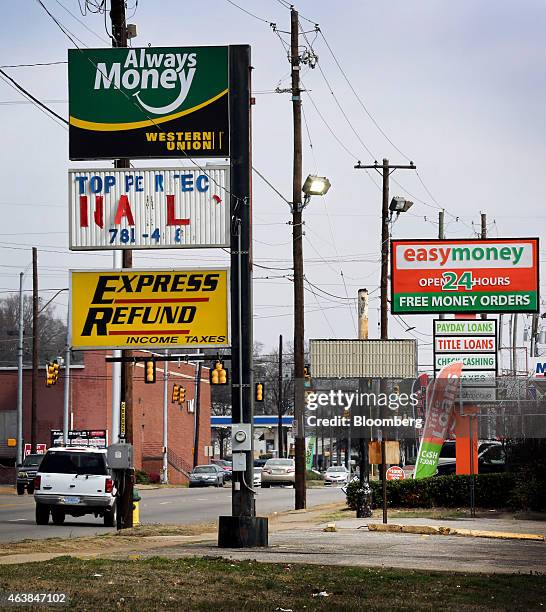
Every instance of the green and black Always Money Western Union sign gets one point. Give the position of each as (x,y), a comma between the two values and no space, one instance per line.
(151,102)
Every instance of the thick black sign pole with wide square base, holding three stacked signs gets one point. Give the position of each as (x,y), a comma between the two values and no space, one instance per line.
(242,529)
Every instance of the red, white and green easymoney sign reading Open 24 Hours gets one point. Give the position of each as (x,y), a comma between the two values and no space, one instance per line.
(471,276)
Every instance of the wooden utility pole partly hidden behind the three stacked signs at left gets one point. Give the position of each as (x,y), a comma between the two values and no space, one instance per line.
(119,39)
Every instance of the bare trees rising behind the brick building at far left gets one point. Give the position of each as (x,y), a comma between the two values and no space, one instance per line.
(52,332)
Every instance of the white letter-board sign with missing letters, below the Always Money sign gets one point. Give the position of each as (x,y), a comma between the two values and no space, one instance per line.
(149,208)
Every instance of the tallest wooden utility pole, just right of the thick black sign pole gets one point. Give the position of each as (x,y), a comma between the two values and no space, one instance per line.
(297,253)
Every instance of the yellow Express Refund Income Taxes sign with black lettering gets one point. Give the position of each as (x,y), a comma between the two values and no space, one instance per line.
(160,308)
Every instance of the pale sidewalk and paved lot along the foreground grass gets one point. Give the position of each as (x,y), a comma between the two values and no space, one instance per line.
(299,537)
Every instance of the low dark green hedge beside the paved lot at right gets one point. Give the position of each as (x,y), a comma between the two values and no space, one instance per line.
(491,491)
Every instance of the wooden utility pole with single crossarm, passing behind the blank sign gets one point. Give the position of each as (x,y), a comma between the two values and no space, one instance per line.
(385,170)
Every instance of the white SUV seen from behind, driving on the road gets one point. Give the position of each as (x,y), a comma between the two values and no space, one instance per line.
(74,481)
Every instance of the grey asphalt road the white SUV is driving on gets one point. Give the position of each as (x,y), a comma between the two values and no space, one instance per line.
(167,506)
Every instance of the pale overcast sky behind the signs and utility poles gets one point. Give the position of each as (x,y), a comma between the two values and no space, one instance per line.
(457,88)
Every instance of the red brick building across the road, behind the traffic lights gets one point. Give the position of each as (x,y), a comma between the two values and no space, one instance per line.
(90,407)
